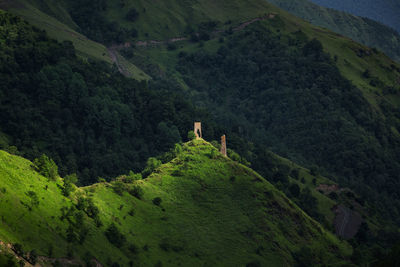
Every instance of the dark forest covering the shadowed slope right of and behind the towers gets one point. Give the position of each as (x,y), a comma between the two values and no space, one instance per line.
(284,93)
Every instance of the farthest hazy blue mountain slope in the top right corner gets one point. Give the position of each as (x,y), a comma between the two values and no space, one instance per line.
(385,11)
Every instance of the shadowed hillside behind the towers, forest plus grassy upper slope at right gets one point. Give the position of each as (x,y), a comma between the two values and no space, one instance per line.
(274,85)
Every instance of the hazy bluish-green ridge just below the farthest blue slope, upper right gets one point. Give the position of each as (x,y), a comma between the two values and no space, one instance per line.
(360,29)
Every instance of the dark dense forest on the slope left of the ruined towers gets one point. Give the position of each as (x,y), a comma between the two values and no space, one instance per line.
(88,118)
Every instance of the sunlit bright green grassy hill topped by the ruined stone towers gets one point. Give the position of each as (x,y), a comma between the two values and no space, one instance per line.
(200,208)
